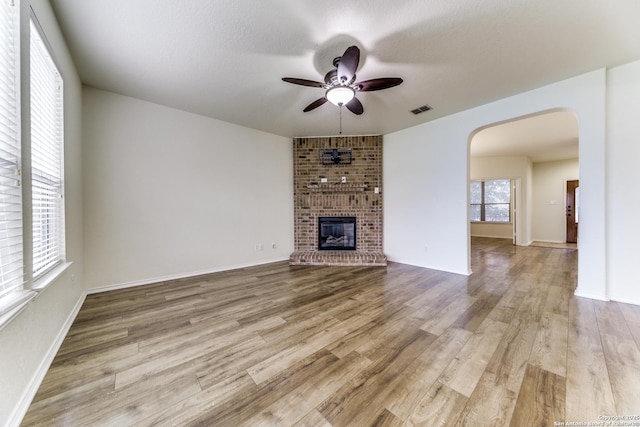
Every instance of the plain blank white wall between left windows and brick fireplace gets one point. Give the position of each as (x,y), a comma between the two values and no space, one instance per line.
(171,194)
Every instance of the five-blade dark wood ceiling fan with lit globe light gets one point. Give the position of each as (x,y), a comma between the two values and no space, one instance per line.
(340,84)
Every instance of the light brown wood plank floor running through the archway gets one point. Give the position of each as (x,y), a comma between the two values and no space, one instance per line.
(277,345)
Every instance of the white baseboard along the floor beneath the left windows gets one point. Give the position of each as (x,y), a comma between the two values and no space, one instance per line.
(30,392)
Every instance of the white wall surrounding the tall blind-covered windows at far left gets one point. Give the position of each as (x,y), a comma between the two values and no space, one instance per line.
(29,342)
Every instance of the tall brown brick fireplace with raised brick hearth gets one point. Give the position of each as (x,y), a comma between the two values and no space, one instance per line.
(338,177)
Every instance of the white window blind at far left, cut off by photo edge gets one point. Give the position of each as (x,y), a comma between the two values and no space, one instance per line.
(11,261)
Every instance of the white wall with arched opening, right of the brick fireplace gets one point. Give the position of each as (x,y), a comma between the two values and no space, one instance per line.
(426,180)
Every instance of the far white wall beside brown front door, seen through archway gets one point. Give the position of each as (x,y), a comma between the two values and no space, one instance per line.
(549,205)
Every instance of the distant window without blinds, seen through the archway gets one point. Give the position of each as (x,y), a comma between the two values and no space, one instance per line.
(491,201)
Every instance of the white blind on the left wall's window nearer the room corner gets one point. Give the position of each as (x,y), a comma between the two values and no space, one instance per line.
(46,157)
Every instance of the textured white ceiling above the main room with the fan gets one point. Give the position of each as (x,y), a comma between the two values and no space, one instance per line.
(225,58)
